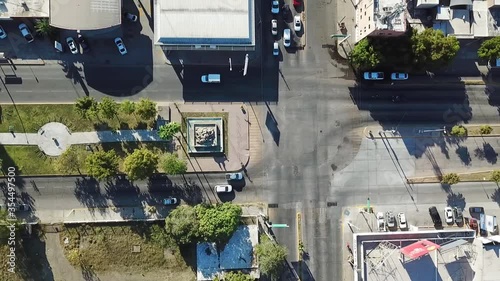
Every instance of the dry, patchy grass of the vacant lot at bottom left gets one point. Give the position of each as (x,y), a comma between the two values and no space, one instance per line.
(110,248)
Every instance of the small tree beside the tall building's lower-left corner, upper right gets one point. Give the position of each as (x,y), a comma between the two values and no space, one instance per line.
(364,56)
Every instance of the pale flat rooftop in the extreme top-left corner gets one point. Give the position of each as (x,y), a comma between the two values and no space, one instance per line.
(30,8)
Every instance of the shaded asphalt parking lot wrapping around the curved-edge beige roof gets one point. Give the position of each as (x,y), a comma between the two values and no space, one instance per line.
(137,37)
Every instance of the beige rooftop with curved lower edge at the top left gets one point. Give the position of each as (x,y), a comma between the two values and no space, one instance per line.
(85,14)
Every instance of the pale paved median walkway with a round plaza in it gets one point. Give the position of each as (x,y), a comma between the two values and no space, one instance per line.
(54,138)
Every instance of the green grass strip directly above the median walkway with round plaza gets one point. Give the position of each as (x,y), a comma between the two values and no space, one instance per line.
(31,117)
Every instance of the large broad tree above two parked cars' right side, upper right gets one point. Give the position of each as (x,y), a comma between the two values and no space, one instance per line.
(431,48)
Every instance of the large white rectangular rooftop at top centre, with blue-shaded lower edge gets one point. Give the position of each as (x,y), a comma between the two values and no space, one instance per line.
(202,22)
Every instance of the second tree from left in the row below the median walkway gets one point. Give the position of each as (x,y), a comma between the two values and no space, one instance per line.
(102,164)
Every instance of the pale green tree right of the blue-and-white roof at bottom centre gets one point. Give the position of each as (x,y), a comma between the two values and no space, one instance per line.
(271,257)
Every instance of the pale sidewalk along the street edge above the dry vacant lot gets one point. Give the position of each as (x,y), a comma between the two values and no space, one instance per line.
(116,214)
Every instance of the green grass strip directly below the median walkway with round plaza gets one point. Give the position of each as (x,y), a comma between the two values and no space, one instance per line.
(29,160)
